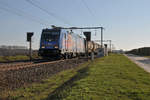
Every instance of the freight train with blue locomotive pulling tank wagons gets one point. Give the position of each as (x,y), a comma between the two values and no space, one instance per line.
(63,43)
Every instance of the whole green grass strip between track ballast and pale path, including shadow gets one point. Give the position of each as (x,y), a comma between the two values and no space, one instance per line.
(113,77)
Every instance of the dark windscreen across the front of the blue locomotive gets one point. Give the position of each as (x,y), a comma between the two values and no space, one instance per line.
(50,35)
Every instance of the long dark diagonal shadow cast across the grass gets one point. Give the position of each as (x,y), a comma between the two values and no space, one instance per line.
(60,92)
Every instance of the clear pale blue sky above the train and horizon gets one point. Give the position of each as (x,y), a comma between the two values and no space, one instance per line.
(126,22)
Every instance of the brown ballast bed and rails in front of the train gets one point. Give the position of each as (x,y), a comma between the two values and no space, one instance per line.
(20,74)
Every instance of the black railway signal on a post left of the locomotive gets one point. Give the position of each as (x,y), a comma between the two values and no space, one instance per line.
(29,39)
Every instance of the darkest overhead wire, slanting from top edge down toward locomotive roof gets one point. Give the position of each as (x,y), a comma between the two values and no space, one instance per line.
(32,2)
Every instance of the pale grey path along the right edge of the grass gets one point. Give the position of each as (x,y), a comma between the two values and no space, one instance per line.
(143,62)
